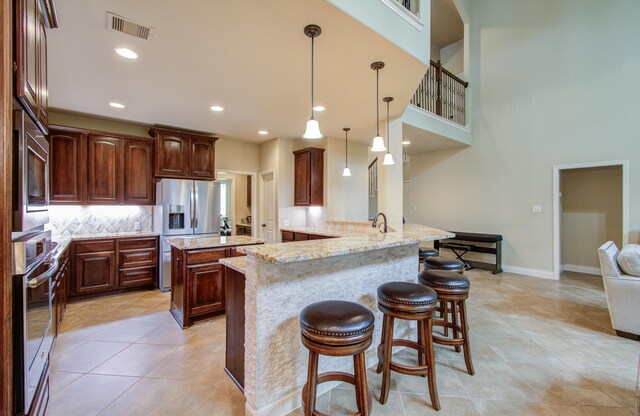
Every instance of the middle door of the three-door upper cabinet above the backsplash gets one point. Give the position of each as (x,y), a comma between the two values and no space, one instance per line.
(104,176)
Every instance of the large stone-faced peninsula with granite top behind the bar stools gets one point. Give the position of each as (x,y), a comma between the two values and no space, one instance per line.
(279,280)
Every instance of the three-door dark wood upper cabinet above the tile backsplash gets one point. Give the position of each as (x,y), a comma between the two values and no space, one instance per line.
(91,167)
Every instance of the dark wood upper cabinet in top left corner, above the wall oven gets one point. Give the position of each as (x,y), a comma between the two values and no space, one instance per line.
(33,17)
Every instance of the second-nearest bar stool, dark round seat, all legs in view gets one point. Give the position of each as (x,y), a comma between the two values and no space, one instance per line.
(412,302)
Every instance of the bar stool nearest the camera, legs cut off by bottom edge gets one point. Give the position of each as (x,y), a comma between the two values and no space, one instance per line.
(337,328)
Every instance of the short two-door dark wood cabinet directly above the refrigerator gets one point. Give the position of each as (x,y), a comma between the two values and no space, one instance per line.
(184,155)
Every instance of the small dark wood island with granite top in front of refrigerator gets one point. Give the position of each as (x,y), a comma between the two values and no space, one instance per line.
(198,278)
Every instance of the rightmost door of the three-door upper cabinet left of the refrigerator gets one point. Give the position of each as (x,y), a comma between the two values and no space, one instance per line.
(138,172)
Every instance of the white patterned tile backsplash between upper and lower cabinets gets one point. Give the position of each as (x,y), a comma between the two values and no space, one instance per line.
(75,219)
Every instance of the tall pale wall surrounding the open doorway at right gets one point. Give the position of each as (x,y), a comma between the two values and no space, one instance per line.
(553,82)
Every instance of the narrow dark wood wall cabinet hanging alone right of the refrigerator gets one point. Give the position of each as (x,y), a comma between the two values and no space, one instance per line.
(309,177)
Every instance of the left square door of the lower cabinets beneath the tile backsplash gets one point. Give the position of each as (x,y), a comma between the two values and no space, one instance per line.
(95,272)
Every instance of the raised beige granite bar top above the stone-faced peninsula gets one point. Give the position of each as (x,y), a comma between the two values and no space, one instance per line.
(350,238)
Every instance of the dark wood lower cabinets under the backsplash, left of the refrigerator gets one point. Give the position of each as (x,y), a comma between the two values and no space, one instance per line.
(102,266)
